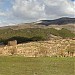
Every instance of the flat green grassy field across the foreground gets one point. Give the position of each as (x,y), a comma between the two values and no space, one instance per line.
(37,66)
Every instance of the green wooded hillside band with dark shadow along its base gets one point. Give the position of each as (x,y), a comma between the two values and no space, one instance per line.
(33,34)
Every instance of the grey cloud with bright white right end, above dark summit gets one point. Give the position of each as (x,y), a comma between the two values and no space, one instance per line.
(60,8)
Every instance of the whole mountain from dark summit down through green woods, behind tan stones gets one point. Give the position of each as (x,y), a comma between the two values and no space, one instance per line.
(40,30)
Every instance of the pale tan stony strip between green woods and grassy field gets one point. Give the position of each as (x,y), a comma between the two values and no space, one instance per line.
(41,48)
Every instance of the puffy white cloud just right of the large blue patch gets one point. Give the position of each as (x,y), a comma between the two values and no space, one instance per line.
(28,9)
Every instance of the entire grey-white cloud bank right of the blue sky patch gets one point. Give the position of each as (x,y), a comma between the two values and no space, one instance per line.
(35,9)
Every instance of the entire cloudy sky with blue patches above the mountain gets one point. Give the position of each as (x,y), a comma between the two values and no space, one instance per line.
(24,11)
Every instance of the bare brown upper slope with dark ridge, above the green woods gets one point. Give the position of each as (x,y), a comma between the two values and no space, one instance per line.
(64,22)
